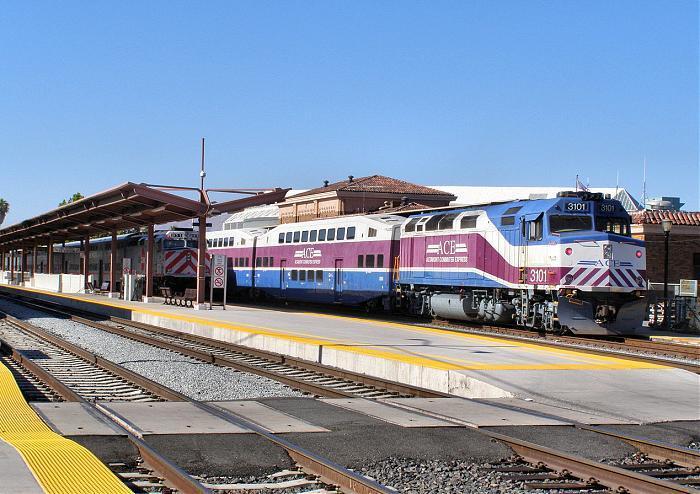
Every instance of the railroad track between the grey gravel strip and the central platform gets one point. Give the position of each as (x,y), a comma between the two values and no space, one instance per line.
(309,377)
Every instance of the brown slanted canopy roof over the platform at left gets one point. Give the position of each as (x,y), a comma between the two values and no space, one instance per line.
(126,206)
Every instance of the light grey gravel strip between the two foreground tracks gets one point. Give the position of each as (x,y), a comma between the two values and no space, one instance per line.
(198,380)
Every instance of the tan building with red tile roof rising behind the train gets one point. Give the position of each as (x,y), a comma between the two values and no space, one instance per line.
(359,195)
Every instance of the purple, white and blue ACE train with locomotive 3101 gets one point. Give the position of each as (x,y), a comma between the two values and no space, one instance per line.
(565,264)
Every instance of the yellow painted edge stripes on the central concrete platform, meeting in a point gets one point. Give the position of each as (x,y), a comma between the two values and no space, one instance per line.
(604,362)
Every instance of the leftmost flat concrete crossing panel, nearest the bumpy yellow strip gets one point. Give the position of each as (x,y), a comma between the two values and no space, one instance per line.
(74,419)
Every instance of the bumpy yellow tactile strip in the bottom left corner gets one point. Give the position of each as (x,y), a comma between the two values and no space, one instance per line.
(59,465)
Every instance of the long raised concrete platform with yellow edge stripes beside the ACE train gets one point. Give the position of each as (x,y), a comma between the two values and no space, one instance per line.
(471,366)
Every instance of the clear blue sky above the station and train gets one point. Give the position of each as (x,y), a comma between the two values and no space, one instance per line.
(290,93)
